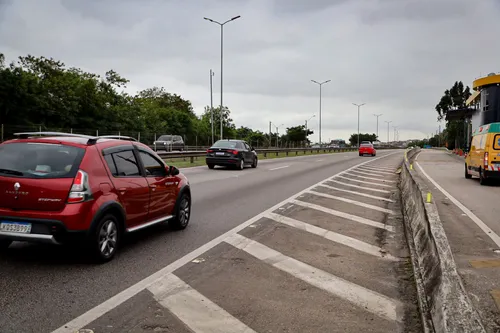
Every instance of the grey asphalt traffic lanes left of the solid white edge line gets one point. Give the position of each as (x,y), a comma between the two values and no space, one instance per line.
(43,287)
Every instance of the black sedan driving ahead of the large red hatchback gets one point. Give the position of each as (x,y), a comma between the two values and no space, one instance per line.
(234,153)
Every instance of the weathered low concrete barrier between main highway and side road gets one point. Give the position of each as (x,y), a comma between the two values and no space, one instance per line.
(444,303)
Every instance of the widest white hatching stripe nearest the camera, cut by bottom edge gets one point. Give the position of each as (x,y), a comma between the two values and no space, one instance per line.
(196,311)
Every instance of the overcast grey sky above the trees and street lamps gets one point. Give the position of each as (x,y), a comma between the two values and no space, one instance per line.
(397,56)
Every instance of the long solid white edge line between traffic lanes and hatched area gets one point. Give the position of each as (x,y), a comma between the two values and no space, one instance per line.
(113,302)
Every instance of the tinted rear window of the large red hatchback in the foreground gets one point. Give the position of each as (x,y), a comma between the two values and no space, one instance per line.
(39,160)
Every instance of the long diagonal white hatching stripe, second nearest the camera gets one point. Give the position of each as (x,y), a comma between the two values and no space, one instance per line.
(366,299)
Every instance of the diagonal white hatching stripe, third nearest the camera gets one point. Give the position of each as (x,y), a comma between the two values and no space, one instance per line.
(332,236)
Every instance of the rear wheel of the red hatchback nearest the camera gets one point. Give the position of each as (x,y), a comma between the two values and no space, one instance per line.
(106,239)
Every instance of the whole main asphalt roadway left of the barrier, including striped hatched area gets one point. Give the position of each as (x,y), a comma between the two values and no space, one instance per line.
(44,287)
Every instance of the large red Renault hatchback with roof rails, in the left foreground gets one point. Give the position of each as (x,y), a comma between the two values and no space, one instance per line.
(59,188)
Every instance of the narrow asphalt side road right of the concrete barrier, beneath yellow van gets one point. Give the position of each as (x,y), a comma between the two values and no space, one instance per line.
(469,213)
